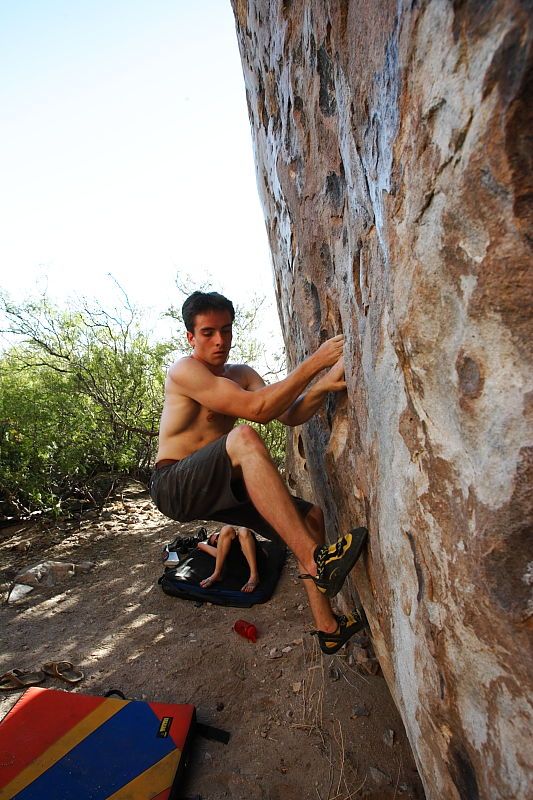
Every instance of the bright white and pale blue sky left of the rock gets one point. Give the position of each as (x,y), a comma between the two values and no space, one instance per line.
(125,147)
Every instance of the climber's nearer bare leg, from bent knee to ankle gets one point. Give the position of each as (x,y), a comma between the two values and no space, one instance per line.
(252,461)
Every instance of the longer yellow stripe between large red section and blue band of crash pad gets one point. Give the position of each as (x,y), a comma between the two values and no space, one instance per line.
(62,746)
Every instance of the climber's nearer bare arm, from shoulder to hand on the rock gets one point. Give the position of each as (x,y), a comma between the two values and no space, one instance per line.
(224,396)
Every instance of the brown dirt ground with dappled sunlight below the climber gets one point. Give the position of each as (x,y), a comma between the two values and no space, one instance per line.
(303,726)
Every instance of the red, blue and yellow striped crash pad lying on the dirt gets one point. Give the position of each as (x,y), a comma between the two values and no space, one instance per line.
(57,745)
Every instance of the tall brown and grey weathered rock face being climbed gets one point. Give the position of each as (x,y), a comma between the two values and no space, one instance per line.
(393,149)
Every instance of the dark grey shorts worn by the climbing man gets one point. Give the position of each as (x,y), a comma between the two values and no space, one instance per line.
(201,486)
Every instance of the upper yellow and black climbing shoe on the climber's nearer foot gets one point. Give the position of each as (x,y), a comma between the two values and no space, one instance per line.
(335,561)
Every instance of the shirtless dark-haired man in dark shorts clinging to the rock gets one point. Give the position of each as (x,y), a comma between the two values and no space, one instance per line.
(208,468)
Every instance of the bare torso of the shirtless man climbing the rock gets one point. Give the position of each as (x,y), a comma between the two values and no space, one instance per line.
(185,425)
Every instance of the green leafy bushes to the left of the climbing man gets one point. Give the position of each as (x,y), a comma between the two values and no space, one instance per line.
(80,395)
